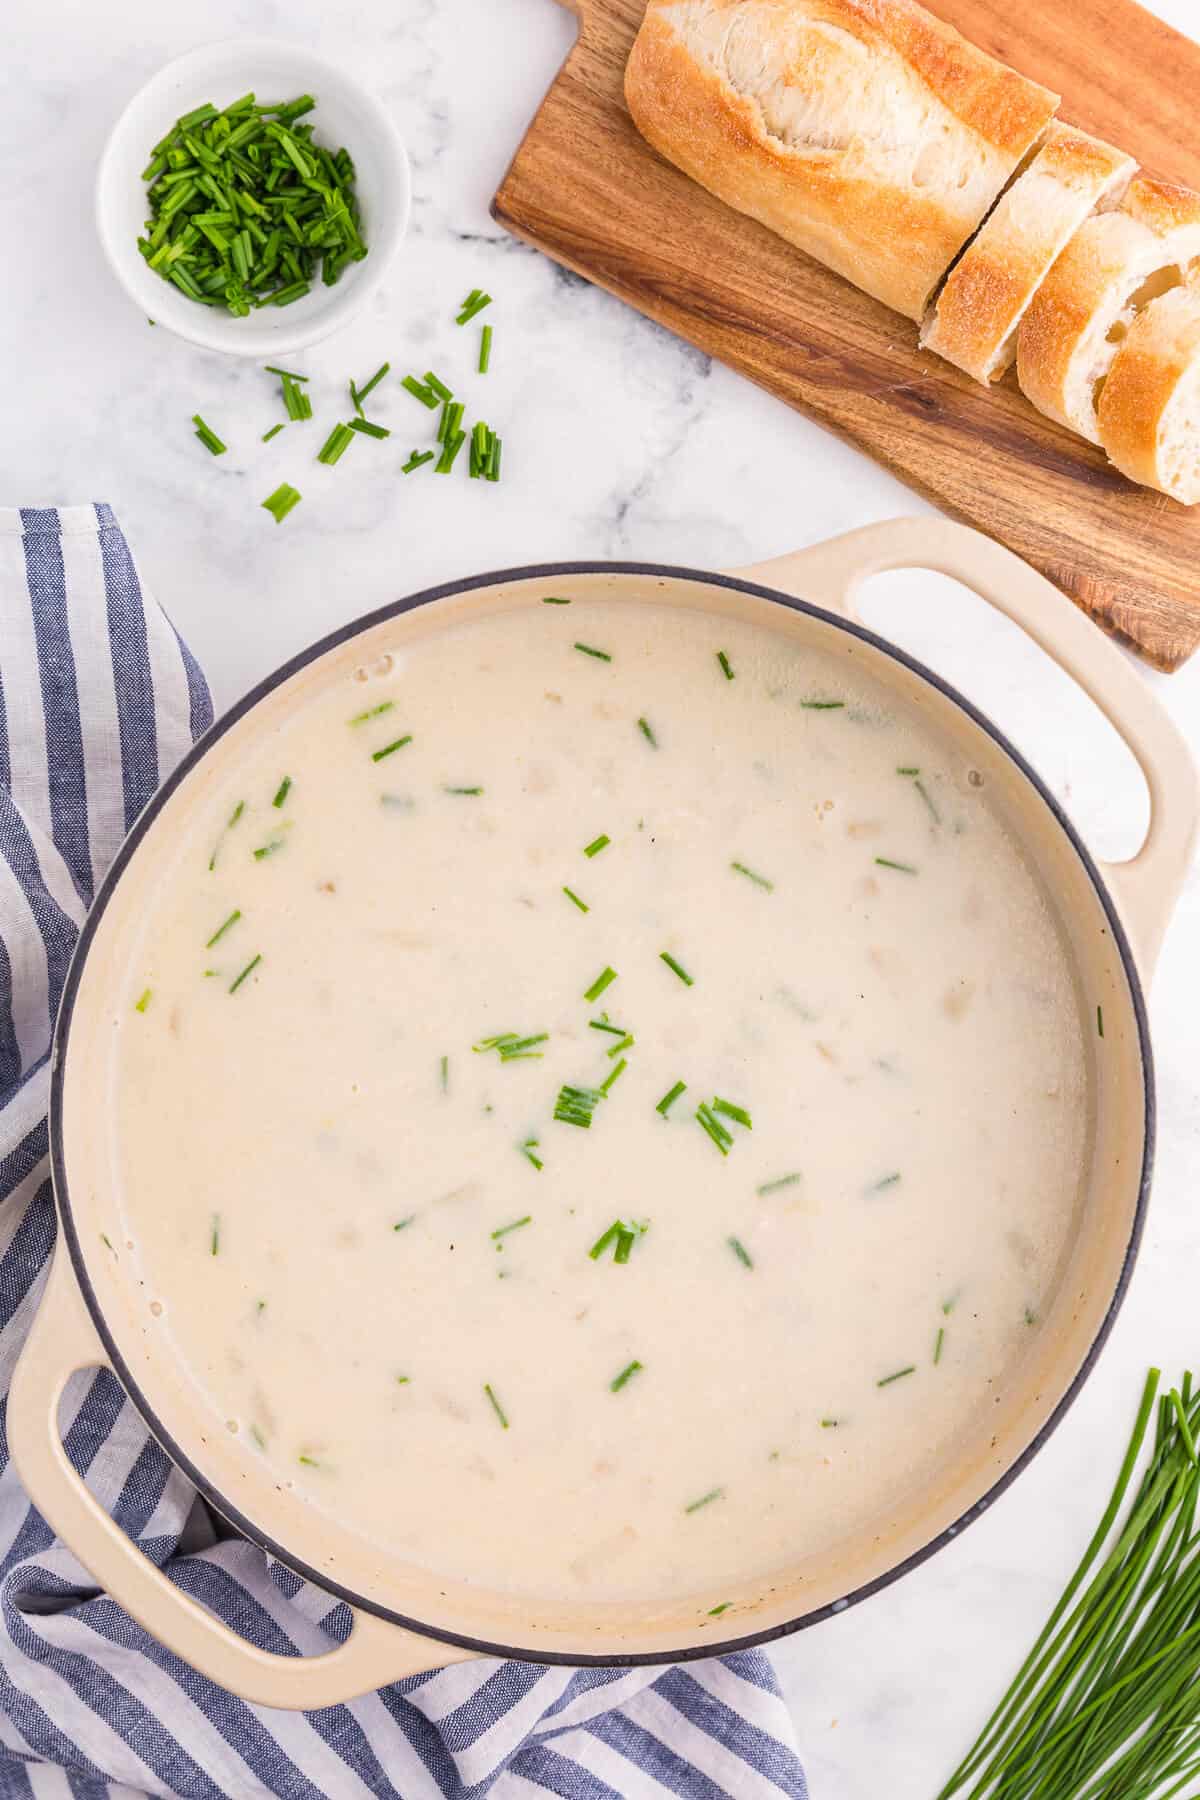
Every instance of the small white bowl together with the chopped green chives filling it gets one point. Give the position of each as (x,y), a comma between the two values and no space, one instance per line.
(253,197)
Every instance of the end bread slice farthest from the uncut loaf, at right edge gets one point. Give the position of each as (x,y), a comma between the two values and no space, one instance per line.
(1151,404)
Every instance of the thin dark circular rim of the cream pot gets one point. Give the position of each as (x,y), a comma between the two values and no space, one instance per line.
(179,775)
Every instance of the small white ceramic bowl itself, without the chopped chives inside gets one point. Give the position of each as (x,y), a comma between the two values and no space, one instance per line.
(346,114)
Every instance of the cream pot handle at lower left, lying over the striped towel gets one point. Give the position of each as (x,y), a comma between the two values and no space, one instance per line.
(62,1342)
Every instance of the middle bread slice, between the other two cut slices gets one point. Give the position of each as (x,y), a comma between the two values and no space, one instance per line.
(1113,265)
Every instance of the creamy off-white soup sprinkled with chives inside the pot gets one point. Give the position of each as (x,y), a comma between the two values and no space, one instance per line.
(602,1101)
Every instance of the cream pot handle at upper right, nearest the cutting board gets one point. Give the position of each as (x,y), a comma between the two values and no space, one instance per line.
(830,573)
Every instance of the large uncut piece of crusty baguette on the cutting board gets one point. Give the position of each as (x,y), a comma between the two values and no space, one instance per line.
(866,132)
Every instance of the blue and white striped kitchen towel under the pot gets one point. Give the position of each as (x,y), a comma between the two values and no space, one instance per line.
(98,701)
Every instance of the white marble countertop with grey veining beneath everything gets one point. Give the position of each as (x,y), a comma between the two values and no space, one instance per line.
(620,442)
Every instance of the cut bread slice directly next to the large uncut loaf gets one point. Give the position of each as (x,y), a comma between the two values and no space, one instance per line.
(989,291)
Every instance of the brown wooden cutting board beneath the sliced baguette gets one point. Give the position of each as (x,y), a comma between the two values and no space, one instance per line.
(589,192)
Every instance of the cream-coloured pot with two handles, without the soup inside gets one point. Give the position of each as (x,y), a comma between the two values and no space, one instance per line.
(406,1619)
